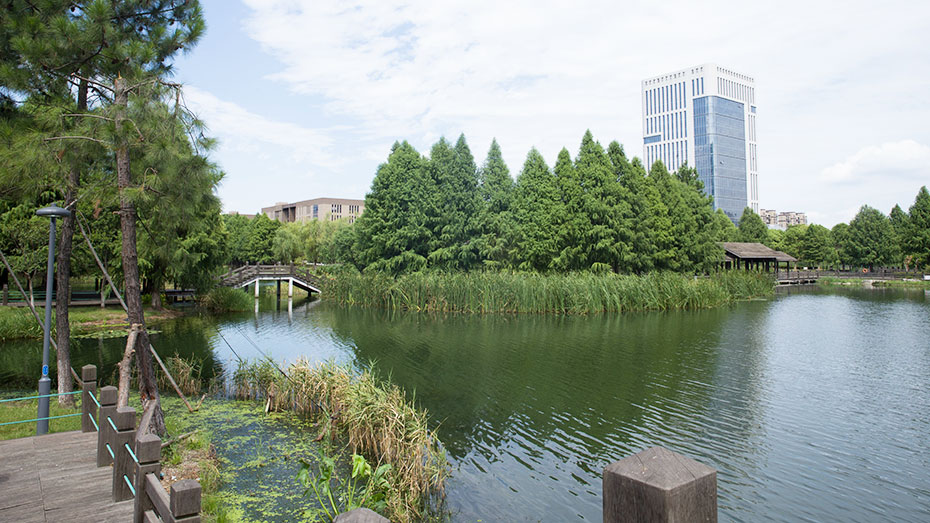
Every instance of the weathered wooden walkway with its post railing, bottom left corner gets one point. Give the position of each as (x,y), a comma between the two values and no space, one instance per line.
(109,471)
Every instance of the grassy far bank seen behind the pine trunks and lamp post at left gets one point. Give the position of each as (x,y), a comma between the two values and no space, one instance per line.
(18,322)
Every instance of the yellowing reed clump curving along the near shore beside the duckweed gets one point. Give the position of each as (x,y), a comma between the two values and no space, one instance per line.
(374,416)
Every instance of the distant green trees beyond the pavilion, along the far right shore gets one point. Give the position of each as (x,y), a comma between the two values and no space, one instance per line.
(871,239)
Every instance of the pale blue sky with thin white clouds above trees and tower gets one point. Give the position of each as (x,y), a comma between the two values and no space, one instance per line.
(306,97)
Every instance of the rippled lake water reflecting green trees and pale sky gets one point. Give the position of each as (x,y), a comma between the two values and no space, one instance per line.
(812,406)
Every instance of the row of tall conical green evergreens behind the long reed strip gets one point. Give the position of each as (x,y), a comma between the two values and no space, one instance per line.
(599,211)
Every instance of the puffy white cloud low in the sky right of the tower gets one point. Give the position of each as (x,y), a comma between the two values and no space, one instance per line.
(889,161)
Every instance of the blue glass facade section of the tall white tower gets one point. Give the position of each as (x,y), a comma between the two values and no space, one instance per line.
(720,152)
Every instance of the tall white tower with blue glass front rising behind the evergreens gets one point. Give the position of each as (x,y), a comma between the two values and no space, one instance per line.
(705,116)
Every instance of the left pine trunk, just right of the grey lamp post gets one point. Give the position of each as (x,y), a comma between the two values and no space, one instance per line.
(63,274)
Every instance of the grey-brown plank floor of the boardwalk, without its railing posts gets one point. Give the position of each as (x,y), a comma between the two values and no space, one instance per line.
(55,478)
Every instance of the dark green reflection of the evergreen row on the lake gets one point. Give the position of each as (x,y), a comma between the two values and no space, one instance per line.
(490,379)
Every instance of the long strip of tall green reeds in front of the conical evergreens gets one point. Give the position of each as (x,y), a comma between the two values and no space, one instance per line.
(574,293)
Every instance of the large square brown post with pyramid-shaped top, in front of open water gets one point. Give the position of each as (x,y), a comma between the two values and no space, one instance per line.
(658,485)
